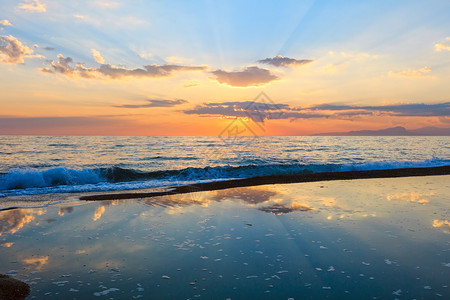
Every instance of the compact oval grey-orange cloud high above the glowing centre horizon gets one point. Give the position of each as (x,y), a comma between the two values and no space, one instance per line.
(250,76)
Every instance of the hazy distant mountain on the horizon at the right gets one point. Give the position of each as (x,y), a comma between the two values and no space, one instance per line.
(394,131)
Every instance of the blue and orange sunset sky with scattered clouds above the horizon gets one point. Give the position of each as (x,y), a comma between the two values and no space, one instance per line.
(135,67)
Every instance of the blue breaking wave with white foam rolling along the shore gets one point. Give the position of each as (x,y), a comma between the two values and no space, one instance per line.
(61,180)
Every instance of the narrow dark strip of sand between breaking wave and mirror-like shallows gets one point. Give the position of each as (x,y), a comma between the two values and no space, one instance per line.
(275,179)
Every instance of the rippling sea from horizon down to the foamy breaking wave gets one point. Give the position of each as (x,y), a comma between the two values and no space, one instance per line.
(33,165)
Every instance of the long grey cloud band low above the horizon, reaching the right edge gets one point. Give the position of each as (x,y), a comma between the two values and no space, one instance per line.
(259,112)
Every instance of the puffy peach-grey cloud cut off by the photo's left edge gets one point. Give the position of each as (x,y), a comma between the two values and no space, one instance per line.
(12,51)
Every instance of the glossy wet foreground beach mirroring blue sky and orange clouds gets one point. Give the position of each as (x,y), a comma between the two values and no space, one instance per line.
(340,239)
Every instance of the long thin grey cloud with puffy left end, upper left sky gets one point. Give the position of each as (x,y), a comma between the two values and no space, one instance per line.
(63,66)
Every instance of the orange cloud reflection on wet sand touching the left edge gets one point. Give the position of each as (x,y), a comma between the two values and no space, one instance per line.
(13,220)
